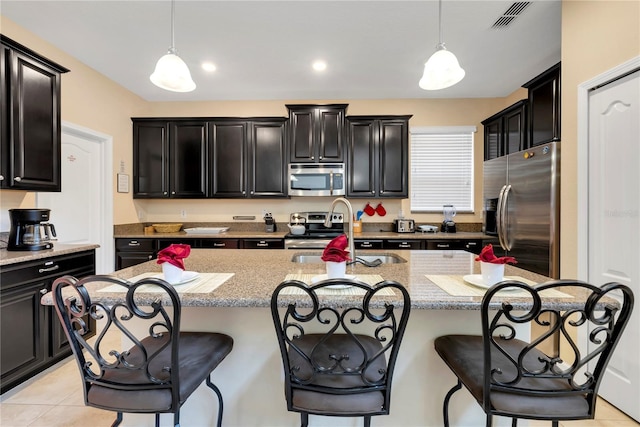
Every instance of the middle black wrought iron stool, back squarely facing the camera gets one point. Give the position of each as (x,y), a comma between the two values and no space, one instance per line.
(343,346)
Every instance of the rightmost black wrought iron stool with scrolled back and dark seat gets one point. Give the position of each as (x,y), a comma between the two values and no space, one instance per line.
(522,380)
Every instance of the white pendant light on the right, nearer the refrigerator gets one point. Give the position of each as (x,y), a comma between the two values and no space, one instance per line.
(442,69)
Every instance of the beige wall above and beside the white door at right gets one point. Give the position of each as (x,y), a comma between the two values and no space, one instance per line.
(596,36)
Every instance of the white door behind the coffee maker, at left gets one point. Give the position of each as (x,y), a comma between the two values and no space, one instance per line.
(82,211)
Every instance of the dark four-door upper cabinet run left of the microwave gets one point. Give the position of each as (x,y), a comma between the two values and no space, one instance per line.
(209,157)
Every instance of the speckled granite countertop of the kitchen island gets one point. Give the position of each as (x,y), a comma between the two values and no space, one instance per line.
(256,273)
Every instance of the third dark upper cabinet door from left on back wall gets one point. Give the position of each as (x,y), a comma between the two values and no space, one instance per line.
(229,147)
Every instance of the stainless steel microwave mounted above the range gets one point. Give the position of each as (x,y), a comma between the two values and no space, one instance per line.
(316,179)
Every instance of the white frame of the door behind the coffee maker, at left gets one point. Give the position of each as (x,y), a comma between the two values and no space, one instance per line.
(104,254)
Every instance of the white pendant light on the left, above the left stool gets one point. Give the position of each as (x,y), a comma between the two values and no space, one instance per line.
(171,72)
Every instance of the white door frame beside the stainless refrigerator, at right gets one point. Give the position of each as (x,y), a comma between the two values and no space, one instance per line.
(583,157)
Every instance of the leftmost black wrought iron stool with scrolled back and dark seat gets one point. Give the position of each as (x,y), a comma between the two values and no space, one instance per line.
(140,370)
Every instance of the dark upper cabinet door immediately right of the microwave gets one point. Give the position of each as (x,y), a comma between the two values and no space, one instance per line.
(363,134)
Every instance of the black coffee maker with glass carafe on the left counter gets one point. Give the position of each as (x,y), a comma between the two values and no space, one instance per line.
(30,230)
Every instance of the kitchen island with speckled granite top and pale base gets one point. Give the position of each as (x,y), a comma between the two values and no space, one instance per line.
(251,377)
